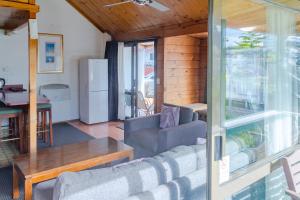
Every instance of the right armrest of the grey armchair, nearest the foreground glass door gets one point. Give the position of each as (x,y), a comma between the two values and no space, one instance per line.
(185,134)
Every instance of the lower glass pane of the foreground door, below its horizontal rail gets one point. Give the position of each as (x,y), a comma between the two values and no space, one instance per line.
(271,187)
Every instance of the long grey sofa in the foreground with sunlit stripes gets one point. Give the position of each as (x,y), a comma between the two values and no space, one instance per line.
(178,174)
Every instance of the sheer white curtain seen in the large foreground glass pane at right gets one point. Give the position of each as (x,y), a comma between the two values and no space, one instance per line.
(281,130)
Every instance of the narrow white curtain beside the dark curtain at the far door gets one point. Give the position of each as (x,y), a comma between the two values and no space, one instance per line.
(121,80)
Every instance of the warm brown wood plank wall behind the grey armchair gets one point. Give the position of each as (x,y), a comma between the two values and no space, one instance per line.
(184,70)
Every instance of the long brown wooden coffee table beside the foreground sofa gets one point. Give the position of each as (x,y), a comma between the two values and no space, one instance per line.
(49,163)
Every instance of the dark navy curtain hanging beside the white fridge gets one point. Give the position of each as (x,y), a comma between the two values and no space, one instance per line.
(111,53)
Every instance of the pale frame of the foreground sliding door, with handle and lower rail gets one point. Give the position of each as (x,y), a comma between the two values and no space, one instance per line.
(217,134)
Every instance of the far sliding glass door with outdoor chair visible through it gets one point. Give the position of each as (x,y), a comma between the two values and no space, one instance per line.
(140,90)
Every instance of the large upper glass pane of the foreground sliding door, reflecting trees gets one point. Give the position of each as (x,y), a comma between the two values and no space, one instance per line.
(260,60)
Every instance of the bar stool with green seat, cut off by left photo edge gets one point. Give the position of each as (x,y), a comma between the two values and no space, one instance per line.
(15,117)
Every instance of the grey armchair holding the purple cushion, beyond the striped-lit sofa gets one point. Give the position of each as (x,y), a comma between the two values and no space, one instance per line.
(147,139)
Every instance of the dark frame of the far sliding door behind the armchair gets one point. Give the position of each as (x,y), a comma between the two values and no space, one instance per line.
(134,73)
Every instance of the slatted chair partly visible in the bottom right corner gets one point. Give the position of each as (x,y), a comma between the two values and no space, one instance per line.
(291,168)
